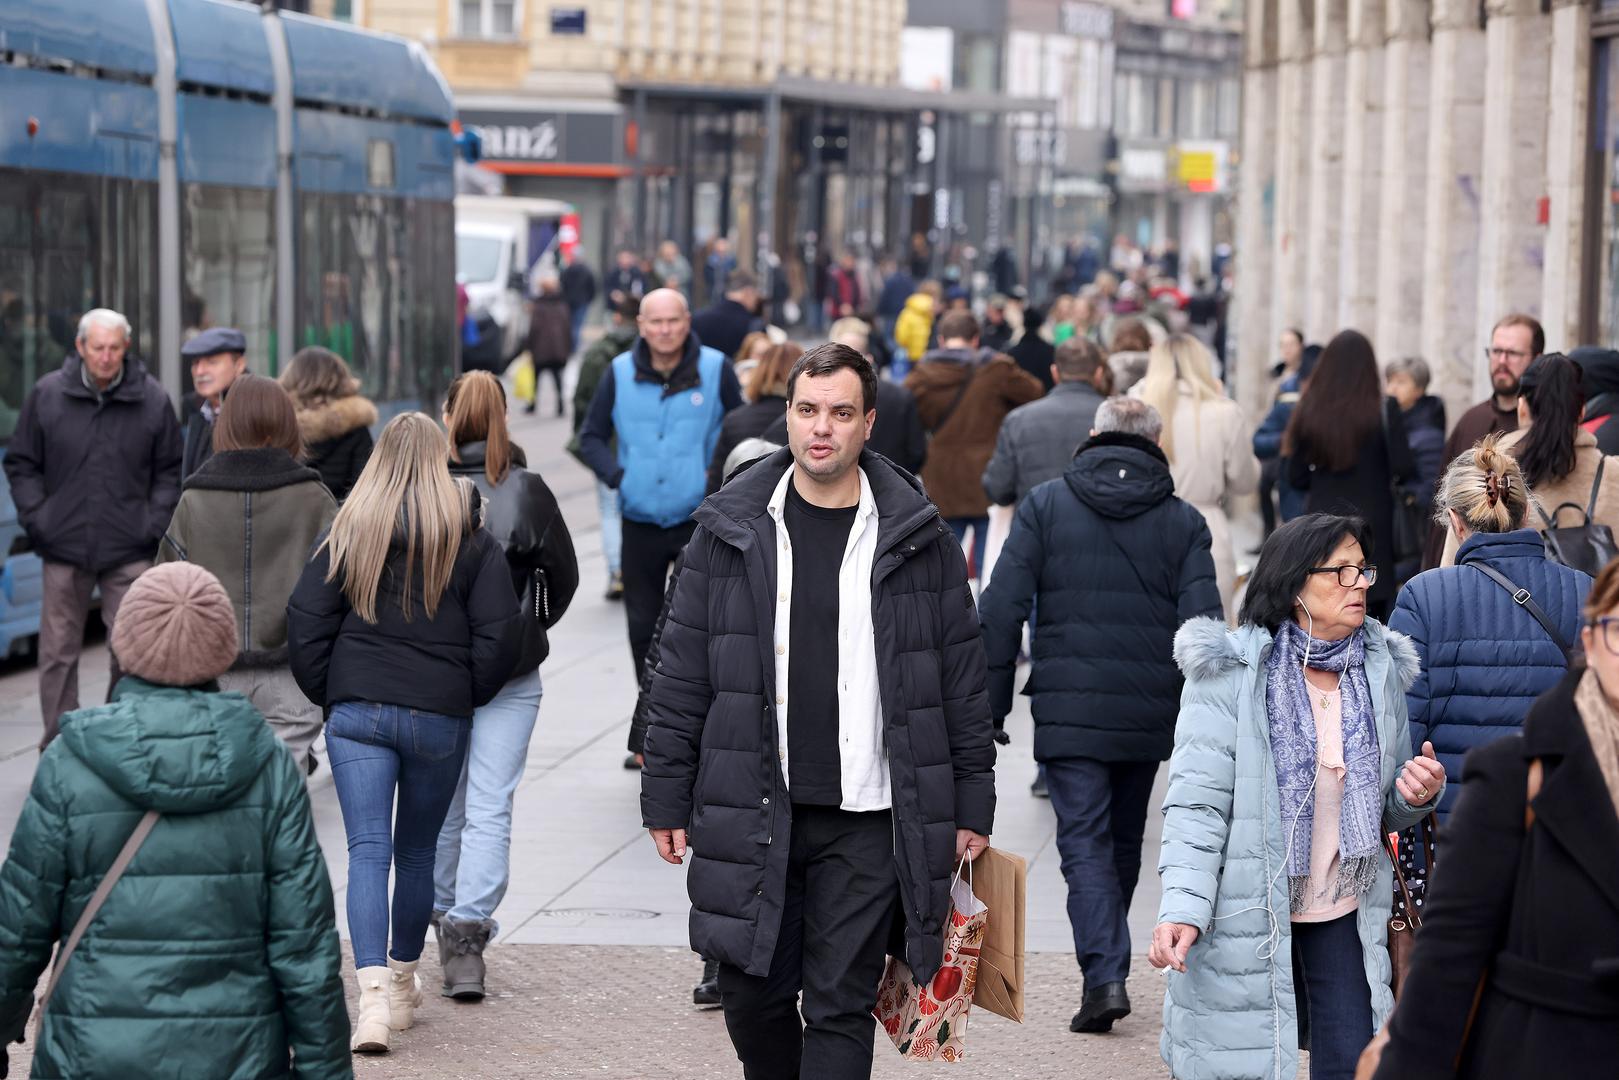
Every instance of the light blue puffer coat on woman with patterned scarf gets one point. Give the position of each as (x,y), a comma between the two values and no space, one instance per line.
(1233,1014)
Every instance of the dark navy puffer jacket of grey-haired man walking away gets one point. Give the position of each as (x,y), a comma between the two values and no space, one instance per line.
(1118,564)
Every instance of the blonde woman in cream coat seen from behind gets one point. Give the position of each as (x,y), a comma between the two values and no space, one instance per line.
(1207,440)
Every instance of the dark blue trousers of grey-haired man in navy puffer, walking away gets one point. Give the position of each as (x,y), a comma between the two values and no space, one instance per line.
(1102,817)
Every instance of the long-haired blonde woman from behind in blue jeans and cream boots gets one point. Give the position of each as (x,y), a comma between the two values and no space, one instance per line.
(402,626)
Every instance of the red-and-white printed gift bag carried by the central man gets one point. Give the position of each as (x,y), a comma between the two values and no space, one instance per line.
(930,1023)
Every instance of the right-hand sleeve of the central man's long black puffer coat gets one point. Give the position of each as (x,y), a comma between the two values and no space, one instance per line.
(966,697)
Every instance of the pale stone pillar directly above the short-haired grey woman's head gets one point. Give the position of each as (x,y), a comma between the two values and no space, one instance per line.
(1403,211)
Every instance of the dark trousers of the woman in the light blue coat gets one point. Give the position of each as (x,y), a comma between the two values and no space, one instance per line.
(1335,1001)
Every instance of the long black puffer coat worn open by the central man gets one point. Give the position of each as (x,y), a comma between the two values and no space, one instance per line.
(712,757)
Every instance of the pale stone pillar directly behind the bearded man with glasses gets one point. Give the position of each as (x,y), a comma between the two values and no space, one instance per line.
(1511,239)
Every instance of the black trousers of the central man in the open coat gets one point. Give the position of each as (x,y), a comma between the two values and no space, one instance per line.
(843,901)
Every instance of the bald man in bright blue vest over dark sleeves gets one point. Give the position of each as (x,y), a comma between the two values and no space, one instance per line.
(665,401)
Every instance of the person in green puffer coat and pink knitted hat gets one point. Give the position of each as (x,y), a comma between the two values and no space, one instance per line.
(216,953)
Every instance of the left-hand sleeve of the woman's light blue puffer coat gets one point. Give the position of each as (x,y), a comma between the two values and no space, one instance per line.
(1199,802)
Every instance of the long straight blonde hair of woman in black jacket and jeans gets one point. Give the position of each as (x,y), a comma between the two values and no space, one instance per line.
(404,487)
